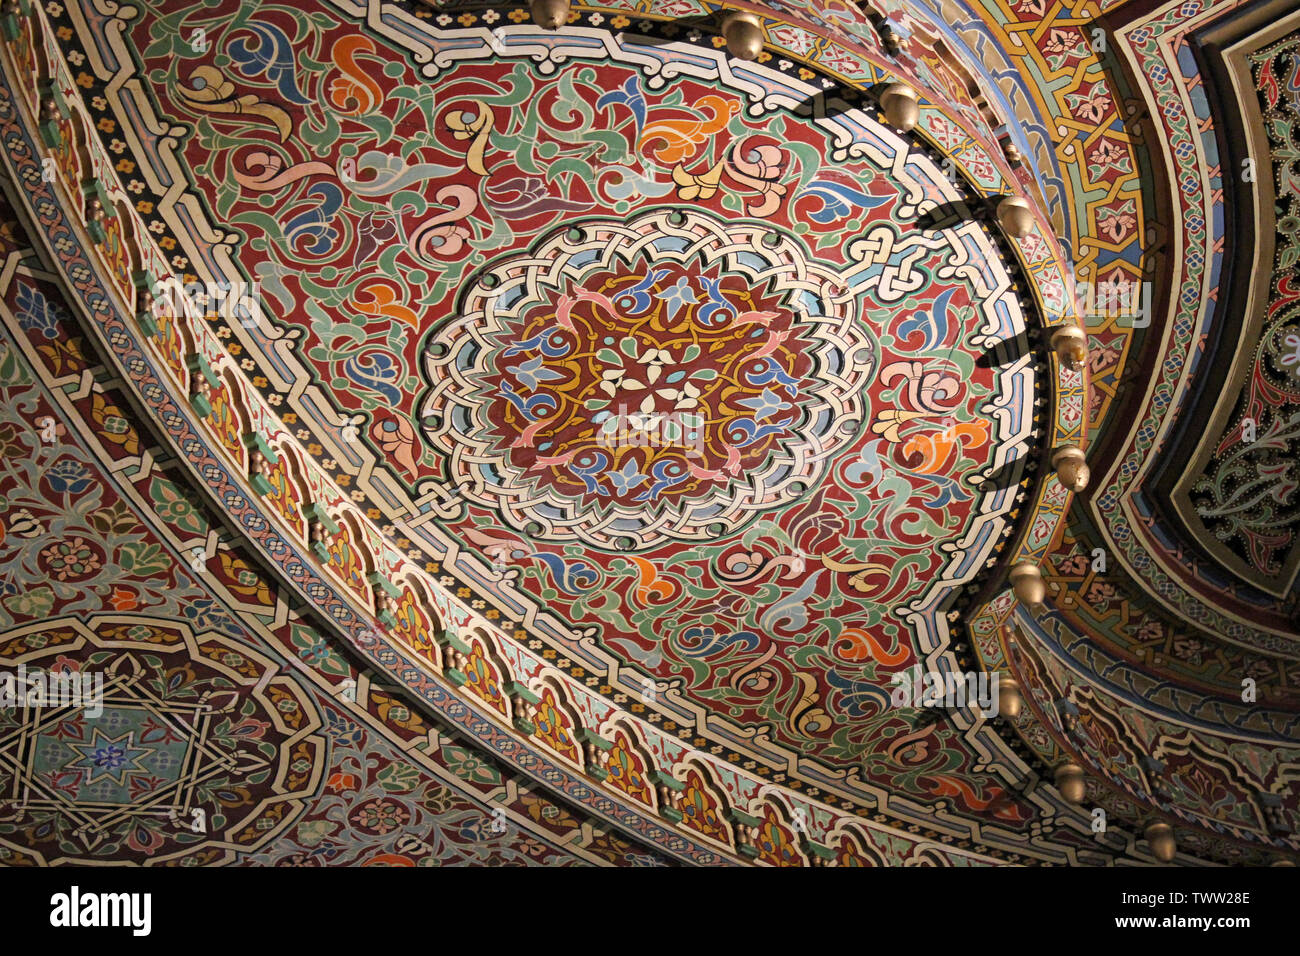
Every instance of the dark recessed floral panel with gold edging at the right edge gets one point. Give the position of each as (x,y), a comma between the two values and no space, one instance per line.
(1220,499)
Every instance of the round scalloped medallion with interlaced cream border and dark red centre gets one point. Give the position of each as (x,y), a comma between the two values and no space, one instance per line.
(627,384)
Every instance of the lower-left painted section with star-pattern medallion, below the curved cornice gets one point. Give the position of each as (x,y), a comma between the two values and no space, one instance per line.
(383,752)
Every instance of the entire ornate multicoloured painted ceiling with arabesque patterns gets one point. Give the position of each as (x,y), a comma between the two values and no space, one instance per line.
(458,442)
